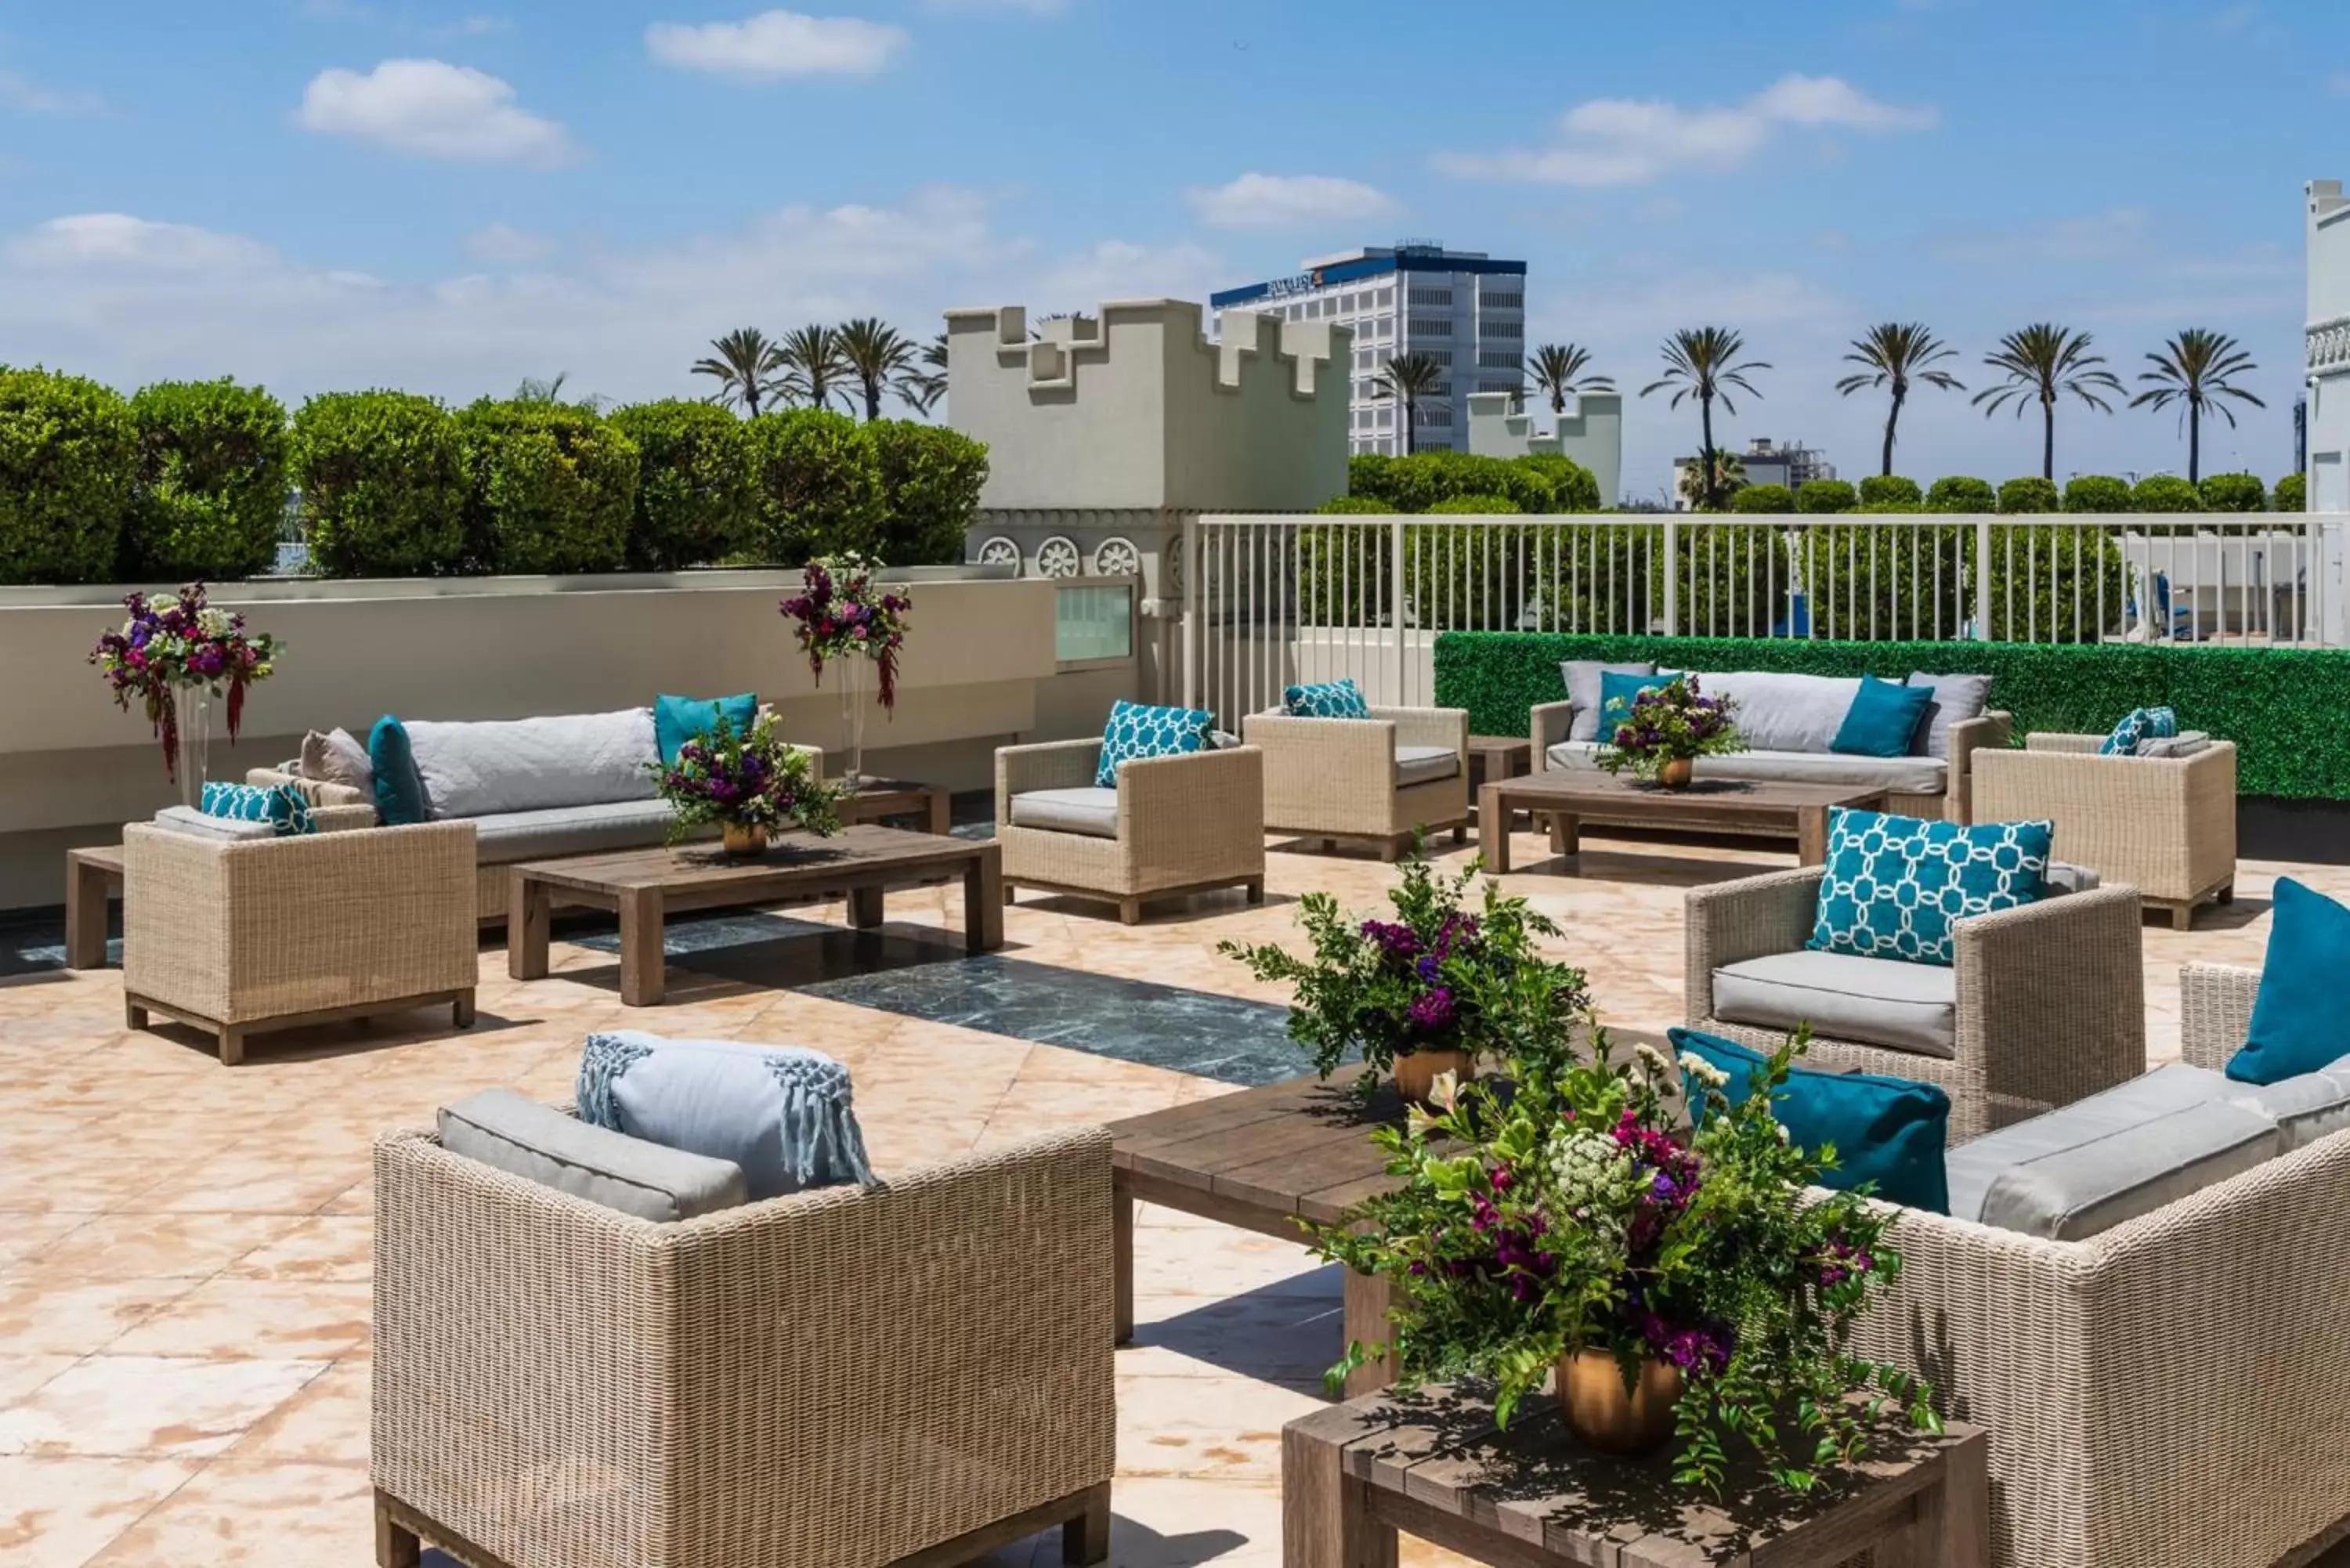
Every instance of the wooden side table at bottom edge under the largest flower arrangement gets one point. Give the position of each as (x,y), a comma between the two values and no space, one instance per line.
(1435,1466)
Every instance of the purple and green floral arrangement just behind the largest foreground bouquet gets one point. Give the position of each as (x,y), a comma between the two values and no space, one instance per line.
(1432,979)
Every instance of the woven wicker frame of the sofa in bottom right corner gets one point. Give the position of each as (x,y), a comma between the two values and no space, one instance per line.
(2170,1393)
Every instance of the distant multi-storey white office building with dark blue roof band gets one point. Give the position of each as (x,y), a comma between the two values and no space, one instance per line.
(1463,309)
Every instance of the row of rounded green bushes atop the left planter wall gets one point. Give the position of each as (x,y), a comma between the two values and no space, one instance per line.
(194,481)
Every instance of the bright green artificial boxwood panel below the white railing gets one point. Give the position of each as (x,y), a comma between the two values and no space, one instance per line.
(2281,706)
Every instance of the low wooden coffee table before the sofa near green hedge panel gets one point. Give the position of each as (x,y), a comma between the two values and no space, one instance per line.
(1794,810)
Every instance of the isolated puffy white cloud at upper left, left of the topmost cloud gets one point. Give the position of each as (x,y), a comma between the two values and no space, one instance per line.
(434,109)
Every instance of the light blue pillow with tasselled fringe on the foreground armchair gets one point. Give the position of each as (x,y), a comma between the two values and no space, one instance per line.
(781,1113)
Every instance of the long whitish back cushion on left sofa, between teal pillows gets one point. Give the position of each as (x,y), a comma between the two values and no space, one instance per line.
(535,765)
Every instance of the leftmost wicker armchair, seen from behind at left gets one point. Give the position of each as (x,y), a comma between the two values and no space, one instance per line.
(269,934)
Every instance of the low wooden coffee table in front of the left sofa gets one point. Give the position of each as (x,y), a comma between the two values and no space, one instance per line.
(645,885)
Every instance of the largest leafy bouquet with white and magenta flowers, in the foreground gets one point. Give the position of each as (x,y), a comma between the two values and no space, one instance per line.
(1578,1214)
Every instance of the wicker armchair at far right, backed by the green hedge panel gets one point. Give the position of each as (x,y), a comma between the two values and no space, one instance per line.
(2161,824)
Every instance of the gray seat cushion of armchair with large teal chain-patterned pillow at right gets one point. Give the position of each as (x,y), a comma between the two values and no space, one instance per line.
(1879,1003)
